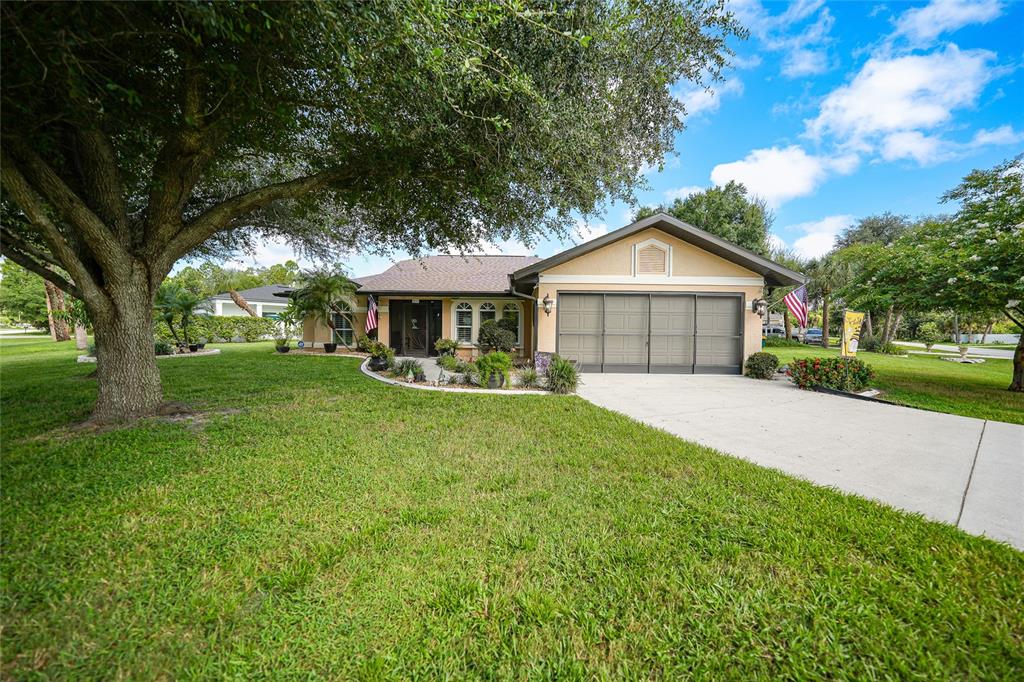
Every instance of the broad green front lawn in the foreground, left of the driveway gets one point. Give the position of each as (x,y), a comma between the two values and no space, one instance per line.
(339,528)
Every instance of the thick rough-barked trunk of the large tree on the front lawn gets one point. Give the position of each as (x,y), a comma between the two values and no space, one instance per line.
(126,365)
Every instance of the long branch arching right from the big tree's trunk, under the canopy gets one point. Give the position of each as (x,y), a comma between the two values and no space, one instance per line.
(217,219)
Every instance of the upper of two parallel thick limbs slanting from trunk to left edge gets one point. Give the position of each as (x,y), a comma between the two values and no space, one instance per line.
(100,240)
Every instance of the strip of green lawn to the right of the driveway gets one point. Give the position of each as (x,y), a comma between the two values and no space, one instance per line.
(927,381)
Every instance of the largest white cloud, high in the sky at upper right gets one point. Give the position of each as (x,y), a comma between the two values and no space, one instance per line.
(904,94)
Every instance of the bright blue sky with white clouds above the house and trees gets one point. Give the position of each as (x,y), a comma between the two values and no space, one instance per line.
(834,112)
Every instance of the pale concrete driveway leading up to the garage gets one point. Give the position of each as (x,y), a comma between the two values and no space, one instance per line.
(969,473)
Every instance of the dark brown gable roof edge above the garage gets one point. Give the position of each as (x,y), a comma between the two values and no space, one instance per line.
(775,275)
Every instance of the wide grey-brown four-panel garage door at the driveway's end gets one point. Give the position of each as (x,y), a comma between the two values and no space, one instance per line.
(660,333)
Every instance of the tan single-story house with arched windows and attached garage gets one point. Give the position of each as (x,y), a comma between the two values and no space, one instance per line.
(659,296)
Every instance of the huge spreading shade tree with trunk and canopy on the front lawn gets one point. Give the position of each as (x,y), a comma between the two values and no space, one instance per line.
(136,135)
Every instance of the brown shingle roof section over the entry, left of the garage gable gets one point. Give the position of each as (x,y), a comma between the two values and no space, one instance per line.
(476,274)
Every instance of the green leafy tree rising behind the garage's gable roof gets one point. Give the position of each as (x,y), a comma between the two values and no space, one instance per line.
(727,211)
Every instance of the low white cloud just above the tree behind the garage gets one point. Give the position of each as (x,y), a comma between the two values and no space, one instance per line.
(779,175)
